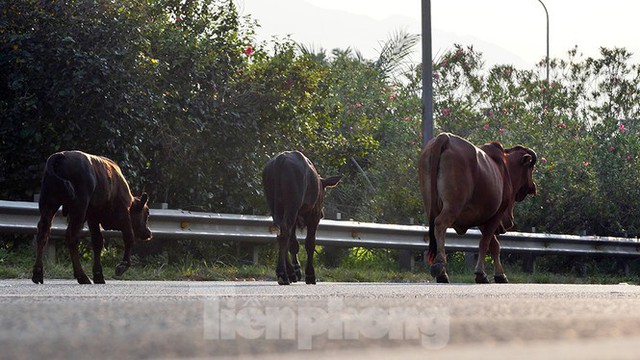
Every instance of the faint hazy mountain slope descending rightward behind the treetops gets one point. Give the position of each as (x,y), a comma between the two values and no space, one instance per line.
(328,29)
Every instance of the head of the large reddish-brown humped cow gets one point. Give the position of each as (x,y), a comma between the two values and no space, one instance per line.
(520,162)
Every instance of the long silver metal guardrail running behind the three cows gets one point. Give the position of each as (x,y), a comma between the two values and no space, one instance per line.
(22,218)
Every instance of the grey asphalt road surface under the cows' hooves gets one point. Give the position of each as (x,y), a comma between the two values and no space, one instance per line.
(196,320)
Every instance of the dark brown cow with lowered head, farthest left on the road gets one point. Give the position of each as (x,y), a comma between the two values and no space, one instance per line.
(89,188)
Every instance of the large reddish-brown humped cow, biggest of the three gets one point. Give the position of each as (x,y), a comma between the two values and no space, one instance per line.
(465,186)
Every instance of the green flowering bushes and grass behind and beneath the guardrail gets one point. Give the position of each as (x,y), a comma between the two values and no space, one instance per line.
(191,106)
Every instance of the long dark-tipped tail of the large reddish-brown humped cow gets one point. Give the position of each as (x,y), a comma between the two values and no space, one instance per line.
(430,163)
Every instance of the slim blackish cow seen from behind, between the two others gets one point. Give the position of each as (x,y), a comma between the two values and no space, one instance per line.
(295,195)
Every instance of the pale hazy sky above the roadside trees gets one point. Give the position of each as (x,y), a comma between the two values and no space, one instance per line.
(505,31)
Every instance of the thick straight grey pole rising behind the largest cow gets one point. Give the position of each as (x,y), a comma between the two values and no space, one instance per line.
(427,74)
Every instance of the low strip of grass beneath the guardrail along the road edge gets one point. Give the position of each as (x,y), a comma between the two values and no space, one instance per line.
(357,265)
